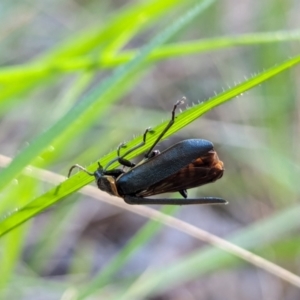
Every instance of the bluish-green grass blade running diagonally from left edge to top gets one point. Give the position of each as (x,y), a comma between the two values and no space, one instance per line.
(89,103)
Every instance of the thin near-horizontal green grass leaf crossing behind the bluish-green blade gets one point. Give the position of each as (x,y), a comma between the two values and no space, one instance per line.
(111,60)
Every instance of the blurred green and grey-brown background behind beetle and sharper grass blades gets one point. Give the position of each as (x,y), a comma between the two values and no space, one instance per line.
(67,247)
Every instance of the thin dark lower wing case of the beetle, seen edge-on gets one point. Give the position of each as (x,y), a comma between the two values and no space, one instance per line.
(165,201)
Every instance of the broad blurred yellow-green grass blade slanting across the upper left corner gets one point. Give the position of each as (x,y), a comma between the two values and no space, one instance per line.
(86,42)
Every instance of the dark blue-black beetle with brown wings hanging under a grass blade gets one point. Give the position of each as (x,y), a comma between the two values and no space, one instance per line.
(187,164)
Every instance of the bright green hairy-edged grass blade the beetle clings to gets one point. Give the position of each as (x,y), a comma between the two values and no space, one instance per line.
(79,180)
